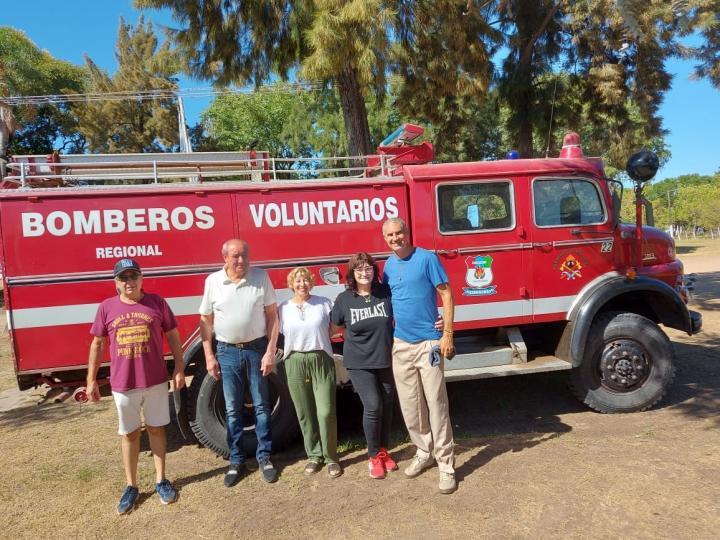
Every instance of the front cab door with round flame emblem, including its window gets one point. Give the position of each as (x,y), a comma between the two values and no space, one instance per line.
(572,239)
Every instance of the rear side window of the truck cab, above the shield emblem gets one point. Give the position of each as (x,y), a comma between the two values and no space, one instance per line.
(475,207)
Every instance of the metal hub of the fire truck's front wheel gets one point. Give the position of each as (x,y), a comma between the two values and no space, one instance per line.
(624,366)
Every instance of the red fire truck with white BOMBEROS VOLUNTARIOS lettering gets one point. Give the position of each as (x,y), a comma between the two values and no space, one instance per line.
(544,275)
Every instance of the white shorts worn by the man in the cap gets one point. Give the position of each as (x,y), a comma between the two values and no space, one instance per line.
(153,402)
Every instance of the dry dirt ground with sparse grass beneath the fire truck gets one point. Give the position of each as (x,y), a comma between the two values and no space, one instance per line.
(532,462)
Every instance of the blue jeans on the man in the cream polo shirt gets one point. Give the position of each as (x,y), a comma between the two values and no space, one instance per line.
(238,368)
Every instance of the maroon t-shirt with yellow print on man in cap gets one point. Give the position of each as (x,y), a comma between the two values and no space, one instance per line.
(136,340)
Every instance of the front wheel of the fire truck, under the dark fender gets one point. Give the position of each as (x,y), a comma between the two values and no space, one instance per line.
(628,364)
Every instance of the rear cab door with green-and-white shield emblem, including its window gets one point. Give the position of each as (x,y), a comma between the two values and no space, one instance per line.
(479,239)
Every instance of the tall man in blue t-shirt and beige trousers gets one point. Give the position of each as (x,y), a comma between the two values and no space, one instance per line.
(416,277)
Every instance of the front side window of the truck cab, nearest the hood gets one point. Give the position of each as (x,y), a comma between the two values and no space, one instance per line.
(566,201)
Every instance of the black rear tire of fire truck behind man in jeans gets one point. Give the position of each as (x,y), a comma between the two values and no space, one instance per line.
(208,414)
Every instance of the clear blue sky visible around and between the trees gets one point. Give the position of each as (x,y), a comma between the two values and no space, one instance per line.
(67,30)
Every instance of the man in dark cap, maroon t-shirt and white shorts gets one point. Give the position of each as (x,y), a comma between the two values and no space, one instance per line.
(133,322)
